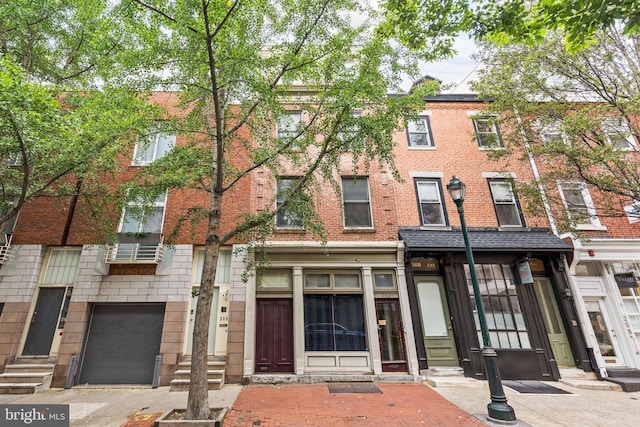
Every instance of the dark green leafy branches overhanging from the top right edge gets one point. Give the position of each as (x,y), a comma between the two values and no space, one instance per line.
(431,25)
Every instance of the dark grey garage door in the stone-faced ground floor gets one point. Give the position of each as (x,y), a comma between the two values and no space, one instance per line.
(122,343)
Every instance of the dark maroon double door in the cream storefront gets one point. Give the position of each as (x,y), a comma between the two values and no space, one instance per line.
(274,335)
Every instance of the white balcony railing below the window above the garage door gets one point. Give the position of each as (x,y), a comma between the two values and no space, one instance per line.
(135,249)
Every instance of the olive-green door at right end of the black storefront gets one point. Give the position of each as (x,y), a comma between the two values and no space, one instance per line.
(553,322)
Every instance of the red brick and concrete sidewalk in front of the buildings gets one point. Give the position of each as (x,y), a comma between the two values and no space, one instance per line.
(295,405)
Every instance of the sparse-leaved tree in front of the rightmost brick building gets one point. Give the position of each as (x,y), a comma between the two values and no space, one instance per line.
(575,113)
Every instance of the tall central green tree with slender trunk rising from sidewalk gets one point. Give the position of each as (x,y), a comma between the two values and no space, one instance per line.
(238,66)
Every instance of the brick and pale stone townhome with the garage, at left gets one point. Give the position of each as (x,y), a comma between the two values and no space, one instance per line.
(110,312)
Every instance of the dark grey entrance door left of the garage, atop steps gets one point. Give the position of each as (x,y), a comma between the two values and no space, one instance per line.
(47,321)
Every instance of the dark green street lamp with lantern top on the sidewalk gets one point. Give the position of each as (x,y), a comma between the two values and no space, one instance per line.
(498,409)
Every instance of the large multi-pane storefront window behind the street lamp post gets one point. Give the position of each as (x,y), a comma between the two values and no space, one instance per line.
(505,321)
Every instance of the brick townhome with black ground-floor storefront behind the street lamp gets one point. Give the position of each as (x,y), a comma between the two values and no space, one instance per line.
(532,320)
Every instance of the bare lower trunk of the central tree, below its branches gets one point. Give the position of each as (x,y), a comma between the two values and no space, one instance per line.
(198,400)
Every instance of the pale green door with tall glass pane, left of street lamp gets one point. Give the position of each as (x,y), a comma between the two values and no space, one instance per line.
(439,341)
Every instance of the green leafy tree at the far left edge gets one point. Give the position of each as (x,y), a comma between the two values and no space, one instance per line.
(60,126)
